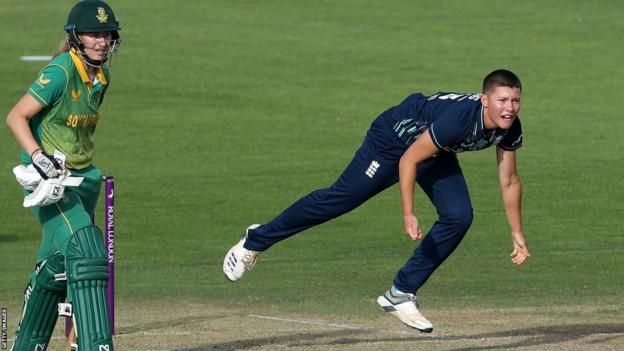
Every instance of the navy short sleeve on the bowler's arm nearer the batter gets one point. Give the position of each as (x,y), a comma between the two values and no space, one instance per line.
(450,129)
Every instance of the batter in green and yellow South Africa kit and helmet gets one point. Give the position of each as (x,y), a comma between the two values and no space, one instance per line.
(60,112)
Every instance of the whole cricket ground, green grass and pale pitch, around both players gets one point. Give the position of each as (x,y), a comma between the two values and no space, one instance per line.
(222,113)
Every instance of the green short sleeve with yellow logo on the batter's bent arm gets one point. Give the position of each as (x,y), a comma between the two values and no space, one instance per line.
(49,86)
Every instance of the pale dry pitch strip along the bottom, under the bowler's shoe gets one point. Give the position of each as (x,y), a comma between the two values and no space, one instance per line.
(198,327)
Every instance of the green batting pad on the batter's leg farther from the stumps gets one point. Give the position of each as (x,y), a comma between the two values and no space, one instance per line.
(40,305)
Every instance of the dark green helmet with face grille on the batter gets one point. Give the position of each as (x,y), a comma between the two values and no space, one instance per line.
(92,16)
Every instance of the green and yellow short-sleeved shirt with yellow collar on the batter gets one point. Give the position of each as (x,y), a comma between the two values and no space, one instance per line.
(70,103)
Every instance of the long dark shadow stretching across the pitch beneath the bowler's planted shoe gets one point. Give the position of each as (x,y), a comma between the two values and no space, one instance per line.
(538,336)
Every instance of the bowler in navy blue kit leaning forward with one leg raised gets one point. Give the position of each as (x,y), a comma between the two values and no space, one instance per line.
(416,141)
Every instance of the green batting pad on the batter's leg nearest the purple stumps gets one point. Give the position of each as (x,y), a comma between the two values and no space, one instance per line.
(87,277)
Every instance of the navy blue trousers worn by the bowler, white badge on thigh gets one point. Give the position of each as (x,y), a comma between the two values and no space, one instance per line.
(374,168)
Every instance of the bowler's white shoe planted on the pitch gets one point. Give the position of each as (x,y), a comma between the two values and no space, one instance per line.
(404,307)
